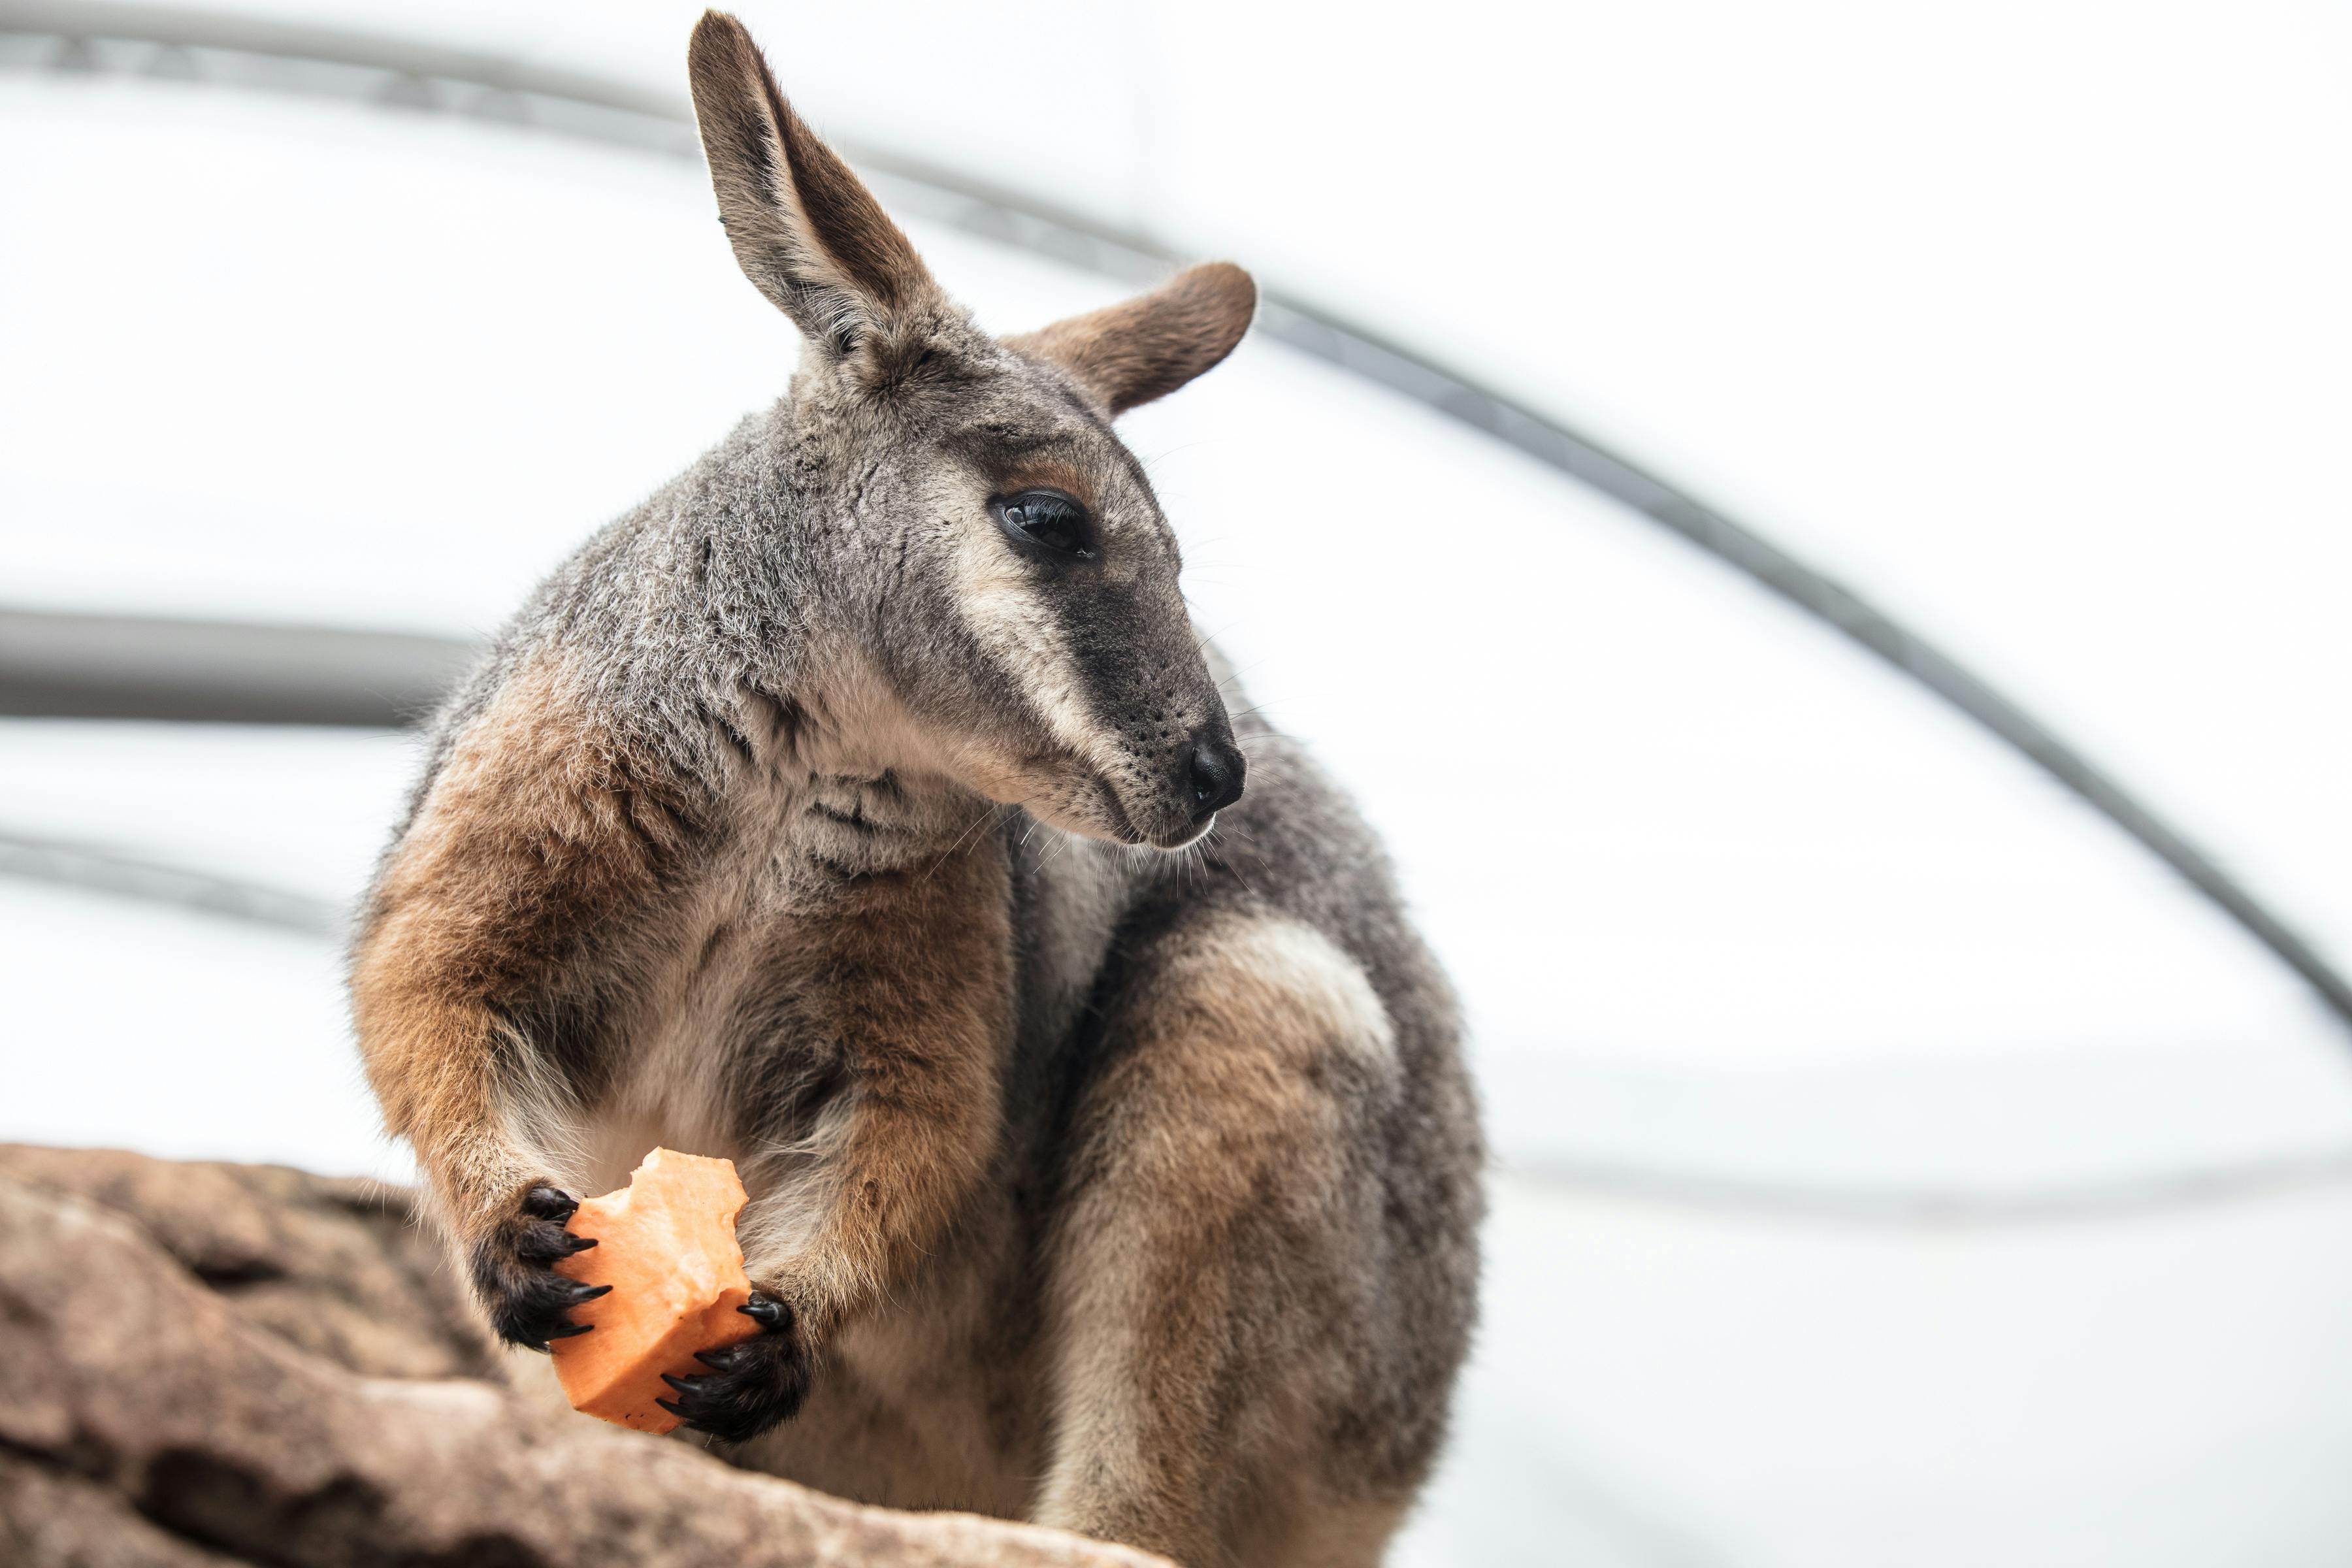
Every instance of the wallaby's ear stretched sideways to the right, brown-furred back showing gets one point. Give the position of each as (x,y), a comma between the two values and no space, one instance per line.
(1151,344)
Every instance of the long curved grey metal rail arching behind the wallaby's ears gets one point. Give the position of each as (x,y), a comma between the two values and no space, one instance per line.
(102,36)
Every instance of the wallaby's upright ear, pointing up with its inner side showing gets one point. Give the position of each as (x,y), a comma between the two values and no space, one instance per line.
(806,232)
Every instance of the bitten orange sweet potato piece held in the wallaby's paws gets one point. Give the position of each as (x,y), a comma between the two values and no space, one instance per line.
(669,1252)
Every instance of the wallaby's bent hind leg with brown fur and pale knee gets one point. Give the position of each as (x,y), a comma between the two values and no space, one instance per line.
(1224,1287)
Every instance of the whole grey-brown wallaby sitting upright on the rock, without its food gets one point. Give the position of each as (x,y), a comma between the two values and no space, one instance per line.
(1121,1191)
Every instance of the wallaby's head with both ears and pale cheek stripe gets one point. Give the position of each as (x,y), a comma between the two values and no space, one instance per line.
(982,537)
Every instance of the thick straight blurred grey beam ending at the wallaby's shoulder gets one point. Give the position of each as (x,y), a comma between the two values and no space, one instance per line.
(232,674)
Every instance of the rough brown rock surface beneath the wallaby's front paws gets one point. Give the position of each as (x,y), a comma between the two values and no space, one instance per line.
(215,1365)
